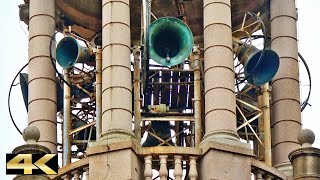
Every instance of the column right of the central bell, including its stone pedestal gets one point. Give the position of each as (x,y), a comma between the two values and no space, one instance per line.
(223,152)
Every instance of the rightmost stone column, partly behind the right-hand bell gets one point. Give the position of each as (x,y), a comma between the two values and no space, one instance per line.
(286,115)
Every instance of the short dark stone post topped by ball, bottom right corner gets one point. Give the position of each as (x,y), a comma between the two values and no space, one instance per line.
(306,160)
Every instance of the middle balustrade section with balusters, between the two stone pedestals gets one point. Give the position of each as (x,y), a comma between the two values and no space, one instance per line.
(163,158)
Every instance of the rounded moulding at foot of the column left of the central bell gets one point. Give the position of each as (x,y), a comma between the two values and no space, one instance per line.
(114,136)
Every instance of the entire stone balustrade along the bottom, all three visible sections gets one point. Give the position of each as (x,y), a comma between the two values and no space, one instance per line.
(180,161)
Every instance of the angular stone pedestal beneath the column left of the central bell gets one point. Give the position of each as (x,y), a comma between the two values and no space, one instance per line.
(115,161)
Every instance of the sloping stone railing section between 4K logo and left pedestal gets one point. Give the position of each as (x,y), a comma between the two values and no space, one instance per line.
(76,171)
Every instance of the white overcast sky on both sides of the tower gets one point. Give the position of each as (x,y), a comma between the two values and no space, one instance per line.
(13,55)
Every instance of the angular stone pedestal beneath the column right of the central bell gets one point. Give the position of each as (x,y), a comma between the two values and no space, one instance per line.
(227,159)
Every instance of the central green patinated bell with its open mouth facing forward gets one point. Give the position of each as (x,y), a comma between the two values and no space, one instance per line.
(170,41)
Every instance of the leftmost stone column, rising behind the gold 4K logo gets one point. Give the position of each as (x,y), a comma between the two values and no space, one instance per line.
(42,98)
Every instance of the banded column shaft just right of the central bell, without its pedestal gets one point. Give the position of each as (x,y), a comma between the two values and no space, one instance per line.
(220,100)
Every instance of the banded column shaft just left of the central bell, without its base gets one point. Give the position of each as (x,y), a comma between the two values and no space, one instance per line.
(116,73)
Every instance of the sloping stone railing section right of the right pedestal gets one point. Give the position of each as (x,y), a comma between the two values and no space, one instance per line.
(262,171)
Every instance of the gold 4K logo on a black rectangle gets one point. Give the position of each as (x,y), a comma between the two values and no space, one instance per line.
(32,164)
